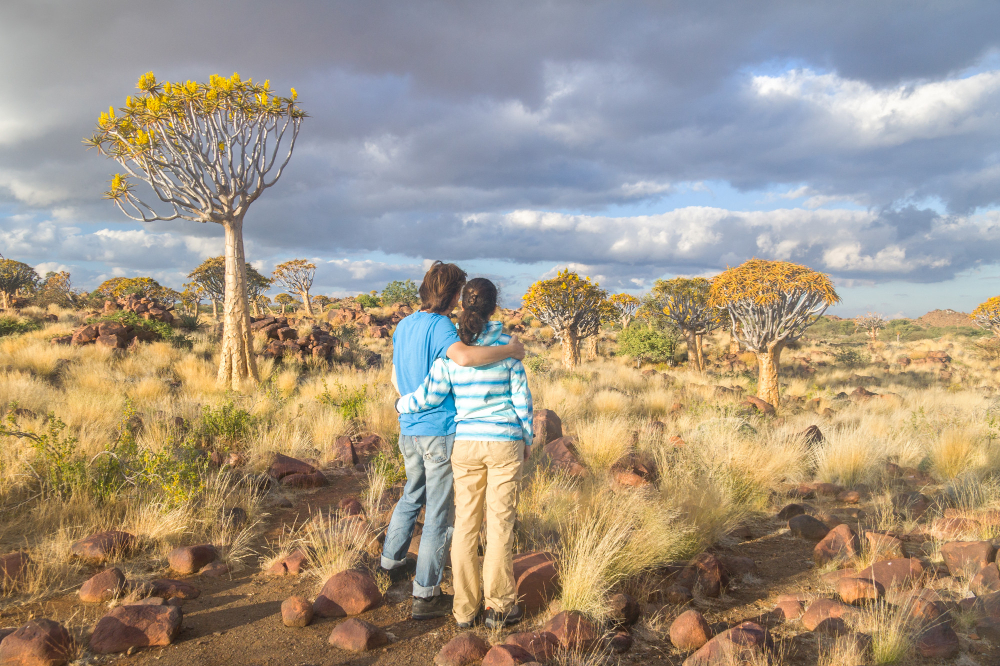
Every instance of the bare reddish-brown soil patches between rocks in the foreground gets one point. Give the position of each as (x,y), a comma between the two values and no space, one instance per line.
(237,620)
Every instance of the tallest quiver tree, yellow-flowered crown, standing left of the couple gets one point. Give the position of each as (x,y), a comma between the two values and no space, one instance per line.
(208,151)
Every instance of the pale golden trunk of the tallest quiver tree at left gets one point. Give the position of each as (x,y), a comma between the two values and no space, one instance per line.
(237,364)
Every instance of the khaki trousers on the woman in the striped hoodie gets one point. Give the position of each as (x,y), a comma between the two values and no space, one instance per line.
(486,475)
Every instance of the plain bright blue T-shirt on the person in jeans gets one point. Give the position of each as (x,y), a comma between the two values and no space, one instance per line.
(419,340)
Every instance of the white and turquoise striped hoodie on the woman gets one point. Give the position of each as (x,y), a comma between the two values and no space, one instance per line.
(492,402)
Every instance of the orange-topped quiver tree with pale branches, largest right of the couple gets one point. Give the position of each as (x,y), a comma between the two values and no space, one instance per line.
(770,304)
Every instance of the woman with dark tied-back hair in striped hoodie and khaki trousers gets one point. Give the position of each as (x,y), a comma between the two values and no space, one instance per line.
(494,417)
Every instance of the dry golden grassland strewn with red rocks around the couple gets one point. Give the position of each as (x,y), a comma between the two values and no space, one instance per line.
(662,498)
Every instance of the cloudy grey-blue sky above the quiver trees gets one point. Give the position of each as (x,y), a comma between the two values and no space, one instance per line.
(630,141)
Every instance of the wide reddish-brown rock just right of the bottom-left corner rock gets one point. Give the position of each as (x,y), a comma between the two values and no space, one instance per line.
(135,625)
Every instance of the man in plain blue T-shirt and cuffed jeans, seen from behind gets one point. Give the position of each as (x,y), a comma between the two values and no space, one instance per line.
(426,439)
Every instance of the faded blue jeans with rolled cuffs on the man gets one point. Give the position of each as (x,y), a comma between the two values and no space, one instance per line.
(429,482)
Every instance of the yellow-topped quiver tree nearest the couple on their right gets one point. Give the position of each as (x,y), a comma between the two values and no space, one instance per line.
(571,305)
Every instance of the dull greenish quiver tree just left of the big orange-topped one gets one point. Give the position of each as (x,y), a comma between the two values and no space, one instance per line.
(685,302)
